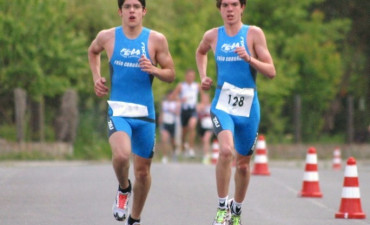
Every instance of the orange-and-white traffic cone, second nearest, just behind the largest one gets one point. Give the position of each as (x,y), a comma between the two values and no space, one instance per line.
(310,187)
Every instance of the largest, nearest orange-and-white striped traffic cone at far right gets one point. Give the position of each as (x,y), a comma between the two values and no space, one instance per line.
(350,206)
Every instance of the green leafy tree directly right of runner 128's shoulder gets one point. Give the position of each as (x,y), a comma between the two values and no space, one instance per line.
(307,59)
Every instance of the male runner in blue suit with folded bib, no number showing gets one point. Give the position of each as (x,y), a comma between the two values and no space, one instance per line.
(133,52)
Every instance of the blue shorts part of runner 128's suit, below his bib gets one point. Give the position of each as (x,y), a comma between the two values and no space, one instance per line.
(243,129)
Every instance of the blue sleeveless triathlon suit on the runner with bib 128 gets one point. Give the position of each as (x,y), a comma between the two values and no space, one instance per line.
(235,71)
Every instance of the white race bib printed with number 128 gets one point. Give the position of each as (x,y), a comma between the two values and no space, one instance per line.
(235,101)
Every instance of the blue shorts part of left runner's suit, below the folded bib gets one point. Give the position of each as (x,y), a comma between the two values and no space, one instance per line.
(141,132)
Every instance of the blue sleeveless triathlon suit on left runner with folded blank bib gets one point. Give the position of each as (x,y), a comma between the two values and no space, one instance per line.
(129,84)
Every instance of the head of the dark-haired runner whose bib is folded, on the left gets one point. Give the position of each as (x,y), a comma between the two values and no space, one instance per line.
(132,13)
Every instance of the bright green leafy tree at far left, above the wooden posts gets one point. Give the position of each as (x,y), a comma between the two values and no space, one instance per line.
(41,51)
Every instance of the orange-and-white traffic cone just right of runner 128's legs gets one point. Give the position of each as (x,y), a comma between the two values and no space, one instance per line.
(260,159)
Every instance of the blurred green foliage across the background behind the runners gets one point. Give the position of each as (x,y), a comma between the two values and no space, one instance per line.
(320,50)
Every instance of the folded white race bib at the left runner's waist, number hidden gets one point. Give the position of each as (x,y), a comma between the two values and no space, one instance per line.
(126,109)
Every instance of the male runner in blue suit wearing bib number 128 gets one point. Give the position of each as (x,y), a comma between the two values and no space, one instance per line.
(240,50)
